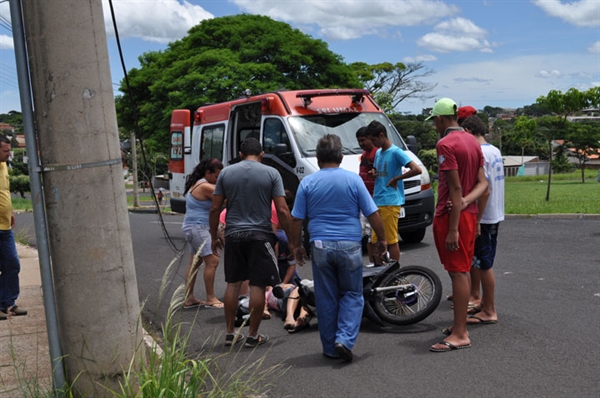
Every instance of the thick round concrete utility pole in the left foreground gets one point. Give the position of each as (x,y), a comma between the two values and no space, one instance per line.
(86,206)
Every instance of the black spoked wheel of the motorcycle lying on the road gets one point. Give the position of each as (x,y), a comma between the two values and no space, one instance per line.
(406,308)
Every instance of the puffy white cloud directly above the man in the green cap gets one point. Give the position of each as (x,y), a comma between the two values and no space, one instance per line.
(458,34)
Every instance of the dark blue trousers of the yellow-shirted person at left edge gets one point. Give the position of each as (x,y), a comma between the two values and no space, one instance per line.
(9,270)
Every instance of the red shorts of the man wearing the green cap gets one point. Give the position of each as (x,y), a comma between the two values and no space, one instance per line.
(457,260)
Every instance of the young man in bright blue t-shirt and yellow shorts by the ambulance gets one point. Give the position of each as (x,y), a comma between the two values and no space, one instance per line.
(389,188)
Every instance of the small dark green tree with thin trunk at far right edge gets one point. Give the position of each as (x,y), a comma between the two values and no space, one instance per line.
(584,139)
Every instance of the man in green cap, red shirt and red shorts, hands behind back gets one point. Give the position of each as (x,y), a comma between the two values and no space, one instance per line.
(461,182)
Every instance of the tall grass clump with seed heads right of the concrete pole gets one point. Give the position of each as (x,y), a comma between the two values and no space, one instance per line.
(173,372)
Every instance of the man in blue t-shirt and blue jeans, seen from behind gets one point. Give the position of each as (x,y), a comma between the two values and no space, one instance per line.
(332,199)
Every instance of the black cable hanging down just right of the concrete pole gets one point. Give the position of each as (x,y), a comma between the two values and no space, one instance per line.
(139,135)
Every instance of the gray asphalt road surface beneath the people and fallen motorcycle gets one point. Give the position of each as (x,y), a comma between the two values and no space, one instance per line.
(546,343)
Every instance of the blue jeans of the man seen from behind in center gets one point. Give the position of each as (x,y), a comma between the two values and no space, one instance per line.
(337,272)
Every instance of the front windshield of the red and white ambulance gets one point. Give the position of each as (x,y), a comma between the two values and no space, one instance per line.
(309,129)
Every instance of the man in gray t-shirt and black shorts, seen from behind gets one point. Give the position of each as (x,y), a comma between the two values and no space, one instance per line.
(247,188)
